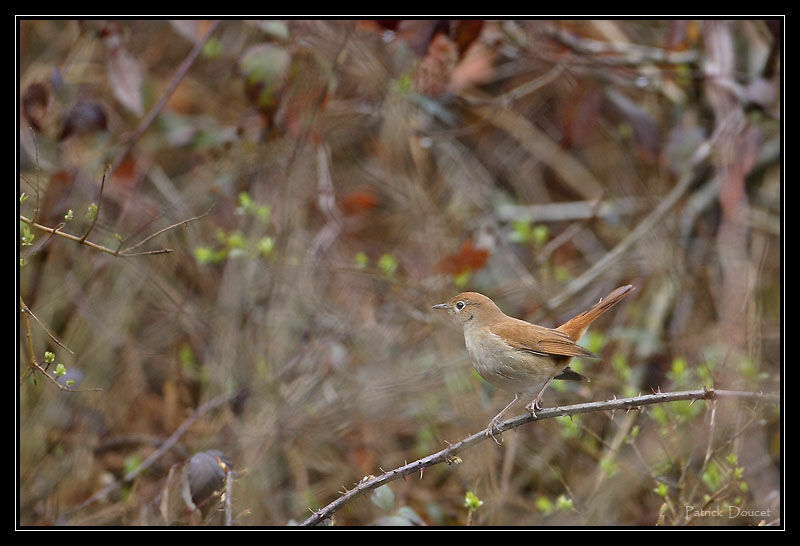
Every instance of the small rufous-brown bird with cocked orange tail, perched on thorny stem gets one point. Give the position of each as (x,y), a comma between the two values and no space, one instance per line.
(518,356)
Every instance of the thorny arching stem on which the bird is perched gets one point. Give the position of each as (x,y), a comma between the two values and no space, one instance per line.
(446,454)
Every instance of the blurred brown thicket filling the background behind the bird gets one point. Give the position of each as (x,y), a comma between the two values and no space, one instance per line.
(360,172)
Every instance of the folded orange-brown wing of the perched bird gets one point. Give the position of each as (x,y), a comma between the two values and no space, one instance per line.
(525,336)
